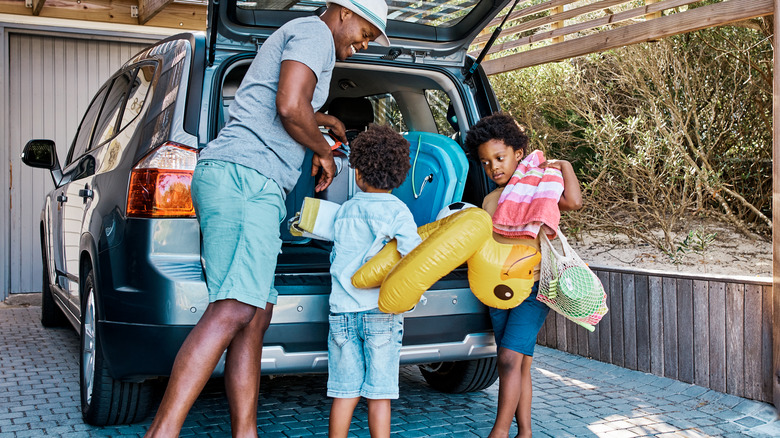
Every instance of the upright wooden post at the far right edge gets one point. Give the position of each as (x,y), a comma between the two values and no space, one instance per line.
(776,214)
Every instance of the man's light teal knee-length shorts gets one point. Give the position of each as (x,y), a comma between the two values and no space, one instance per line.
(239,211)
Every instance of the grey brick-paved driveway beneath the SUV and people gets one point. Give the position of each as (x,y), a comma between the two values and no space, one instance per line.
(574,397)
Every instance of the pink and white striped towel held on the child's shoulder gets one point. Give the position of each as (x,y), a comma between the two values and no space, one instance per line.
(530,200)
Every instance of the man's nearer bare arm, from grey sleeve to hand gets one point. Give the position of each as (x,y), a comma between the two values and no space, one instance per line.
(293,104)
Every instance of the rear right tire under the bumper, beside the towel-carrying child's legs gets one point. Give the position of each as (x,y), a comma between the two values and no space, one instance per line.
(460,377)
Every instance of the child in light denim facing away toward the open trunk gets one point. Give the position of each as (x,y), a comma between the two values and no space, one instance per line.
(364,344)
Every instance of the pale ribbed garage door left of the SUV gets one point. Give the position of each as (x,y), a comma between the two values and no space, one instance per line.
(50,84)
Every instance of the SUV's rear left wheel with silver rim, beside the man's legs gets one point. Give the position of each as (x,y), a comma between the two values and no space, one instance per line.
(104,400)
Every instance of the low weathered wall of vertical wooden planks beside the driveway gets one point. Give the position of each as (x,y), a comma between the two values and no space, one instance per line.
(712,331)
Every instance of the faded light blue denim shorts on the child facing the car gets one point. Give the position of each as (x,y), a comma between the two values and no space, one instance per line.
(364,349)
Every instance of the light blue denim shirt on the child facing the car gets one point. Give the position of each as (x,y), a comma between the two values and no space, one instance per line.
(363,225)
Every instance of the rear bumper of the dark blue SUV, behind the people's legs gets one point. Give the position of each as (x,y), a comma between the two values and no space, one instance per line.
(451,325)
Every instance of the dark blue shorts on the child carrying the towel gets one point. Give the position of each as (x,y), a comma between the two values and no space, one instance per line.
(516,329)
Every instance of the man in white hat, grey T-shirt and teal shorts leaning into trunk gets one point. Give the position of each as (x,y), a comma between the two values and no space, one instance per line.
(238,190)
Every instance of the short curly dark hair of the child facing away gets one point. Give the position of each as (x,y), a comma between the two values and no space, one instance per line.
(382,157)
